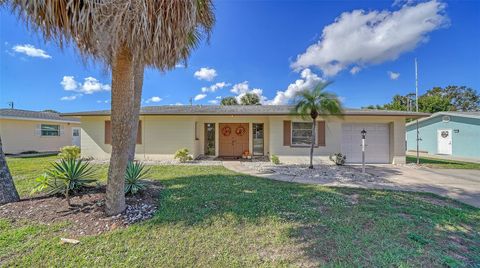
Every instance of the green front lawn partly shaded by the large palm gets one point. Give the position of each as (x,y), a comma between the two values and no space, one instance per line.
(211,217)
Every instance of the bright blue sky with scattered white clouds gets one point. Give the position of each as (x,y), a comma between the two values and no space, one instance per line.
(273,49)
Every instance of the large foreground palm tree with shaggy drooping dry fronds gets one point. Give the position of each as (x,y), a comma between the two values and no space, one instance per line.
(126,36)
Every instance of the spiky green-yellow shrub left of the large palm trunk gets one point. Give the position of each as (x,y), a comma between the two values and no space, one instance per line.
(64,177)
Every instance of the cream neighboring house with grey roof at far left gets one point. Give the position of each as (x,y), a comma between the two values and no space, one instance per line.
(24,131)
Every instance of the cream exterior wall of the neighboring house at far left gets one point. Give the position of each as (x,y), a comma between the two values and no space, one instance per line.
(20,135)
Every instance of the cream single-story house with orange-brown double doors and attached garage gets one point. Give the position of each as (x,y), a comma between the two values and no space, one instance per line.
(230,131)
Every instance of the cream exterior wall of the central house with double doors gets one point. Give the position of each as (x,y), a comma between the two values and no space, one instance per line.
(162,136)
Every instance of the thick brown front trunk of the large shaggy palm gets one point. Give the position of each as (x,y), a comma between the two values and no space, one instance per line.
(122,118)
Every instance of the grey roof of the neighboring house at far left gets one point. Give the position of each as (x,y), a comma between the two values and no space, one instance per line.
(36,116)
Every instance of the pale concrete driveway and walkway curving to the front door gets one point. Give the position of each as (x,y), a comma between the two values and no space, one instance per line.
(460,184)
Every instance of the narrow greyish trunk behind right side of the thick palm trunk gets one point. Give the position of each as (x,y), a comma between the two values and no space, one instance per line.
(138,84)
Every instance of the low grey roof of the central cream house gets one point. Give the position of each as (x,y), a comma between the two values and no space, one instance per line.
(229,110)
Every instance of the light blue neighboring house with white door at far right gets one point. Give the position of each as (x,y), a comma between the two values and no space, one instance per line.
(447,133)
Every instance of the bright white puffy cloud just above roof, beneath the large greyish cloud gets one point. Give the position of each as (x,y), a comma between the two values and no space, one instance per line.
(308,81)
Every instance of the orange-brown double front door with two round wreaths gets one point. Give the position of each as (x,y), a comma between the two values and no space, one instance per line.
(233,139)
